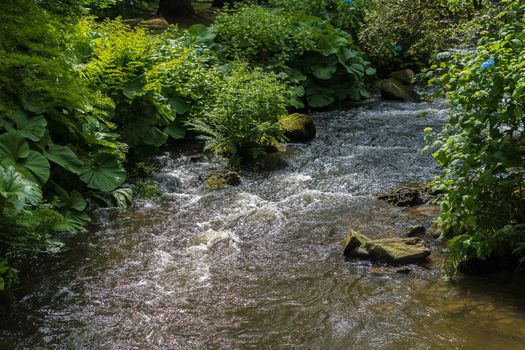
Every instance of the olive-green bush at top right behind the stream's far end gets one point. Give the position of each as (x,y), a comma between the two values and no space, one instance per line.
(399,33)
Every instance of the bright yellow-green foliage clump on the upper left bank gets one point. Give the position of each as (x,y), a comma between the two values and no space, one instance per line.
(151,81)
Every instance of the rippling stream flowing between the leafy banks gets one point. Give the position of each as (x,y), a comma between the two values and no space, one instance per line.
(260,266)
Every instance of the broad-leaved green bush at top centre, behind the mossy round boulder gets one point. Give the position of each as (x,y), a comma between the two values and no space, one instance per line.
(322,64)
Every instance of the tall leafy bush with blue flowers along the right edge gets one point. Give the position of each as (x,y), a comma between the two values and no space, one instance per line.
(482,148)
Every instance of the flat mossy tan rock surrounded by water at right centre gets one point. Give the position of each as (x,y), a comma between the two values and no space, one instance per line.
(392,250)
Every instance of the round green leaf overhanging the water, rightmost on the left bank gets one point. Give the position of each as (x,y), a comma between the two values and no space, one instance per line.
(106,174)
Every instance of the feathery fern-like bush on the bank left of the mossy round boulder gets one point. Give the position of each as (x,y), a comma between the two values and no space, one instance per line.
(238,121)
